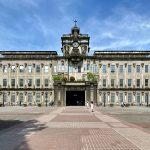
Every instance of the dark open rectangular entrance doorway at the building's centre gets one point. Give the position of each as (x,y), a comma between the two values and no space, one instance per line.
(75,98)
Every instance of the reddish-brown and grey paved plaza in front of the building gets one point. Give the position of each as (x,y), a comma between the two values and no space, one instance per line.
(75,128)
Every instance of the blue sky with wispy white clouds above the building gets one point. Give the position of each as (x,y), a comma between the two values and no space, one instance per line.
(39,24)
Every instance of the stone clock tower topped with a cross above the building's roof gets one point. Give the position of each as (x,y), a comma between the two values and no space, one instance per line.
(75,44)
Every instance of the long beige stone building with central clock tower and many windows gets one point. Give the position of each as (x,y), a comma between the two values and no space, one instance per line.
(27,77)
